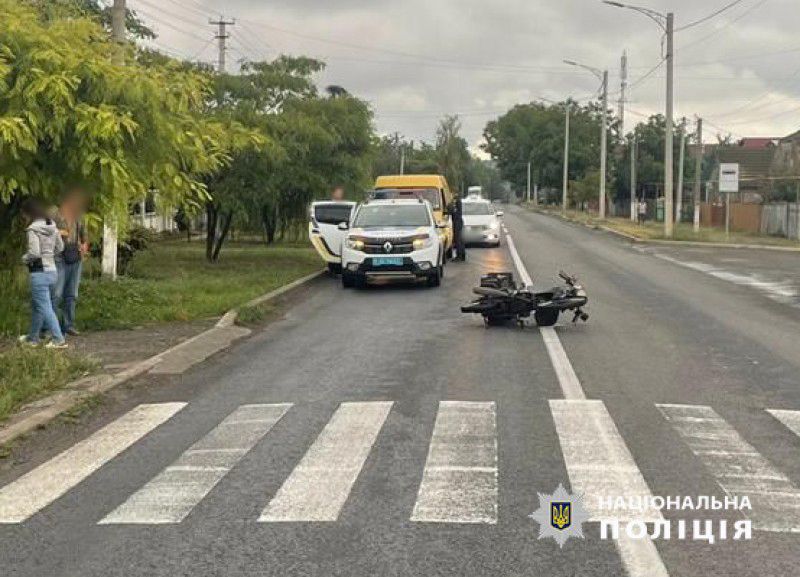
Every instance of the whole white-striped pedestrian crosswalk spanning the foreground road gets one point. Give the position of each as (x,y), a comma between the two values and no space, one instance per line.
(457,485)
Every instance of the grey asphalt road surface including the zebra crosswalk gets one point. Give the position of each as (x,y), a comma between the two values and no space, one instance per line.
(381,432)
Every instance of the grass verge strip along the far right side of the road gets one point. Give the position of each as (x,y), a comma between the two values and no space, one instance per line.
(683,231)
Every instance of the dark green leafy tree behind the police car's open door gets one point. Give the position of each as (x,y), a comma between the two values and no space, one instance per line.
(309,144)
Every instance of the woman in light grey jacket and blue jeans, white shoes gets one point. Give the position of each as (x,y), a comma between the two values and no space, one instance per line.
(44,243)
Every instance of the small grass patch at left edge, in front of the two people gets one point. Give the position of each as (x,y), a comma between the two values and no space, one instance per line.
(27,374)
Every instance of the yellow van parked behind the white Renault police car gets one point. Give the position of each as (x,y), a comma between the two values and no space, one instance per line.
(430,187)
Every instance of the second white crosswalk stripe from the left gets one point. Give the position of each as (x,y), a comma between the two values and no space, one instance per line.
(172,494)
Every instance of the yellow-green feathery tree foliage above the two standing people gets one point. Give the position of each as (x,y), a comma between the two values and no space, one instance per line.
(70,117)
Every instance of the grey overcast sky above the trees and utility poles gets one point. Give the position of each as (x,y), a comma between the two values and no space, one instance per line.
(416,60)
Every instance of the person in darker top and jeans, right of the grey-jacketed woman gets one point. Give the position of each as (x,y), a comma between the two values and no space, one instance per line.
(70,262)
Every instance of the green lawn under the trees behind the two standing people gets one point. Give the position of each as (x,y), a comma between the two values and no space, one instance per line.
(172,281)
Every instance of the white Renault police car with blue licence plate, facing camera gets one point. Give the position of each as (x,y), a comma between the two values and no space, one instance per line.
(393,239)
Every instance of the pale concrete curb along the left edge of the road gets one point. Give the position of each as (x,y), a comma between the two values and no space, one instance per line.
(38,413)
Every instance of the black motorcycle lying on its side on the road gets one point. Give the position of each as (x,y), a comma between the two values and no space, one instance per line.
(502,301)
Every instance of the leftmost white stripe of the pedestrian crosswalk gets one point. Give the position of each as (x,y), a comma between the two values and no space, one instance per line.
(32,492)
